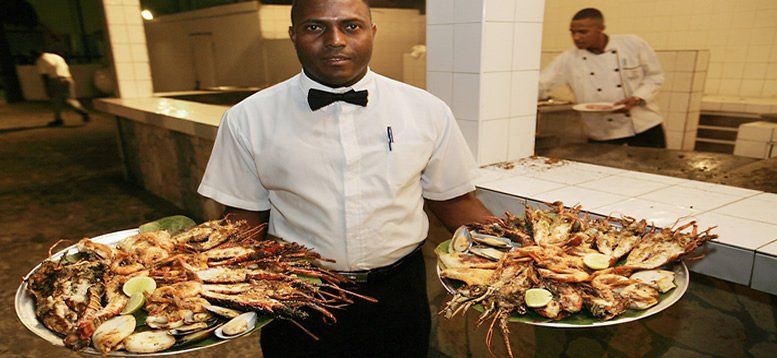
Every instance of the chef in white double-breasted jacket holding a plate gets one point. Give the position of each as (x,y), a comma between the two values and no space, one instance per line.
(619,69)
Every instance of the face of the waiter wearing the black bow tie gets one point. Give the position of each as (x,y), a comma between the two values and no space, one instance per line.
(333,39)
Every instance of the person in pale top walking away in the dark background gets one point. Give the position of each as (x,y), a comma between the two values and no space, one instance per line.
(59,85)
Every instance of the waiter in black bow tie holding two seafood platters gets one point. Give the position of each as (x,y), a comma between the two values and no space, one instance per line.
(342,160)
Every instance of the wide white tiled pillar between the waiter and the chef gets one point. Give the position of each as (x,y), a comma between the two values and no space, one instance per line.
(483,59)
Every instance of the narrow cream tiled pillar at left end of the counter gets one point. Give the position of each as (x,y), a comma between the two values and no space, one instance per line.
(127,40)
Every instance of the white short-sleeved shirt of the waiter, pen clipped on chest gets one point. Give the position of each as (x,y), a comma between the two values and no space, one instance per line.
(328,176)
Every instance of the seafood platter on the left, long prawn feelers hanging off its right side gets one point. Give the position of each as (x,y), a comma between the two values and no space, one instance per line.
(171,287)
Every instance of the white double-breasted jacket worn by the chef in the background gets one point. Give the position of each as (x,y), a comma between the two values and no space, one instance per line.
(627,67)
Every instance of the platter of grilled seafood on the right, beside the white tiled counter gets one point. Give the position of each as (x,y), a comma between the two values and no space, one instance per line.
(557,267)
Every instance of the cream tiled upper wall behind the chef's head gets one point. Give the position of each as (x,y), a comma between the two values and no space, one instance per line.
(740,35)
